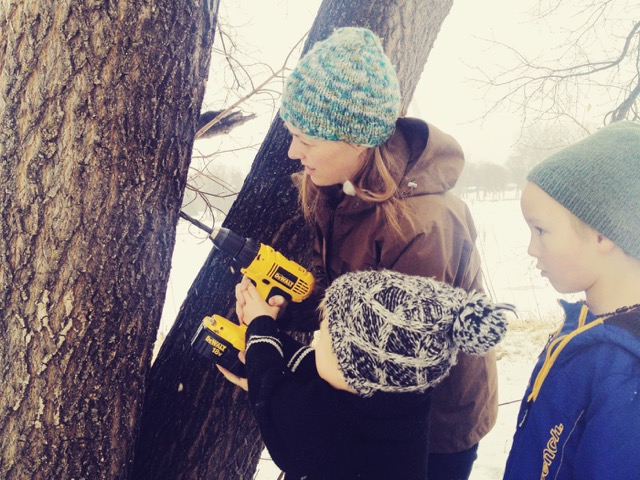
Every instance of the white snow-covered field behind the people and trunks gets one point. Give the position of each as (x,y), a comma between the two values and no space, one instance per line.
(510,277)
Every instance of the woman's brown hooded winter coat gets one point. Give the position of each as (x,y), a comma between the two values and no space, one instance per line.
(439,244)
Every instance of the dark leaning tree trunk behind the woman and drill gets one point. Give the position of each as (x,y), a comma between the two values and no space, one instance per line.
(196,425)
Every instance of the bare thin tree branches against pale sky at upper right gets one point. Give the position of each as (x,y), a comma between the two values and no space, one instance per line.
(594,70)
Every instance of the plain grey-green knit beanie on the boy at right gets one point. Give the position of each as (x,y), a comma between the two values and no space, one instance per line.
(598,180)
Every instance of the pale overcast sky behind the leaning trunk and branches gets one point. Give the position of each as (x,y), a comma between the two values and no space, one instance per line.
(446,95)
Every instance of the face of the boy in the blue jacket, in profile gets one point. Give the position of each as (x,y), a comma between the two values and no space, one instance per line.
(566,253)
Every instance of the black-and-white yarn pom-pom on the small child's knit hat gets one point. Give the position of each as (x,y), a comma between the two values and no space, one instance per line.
(480,325)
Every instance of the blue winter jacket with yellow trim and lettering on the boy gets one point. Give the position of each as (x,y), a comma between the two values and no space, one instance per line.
(580,417)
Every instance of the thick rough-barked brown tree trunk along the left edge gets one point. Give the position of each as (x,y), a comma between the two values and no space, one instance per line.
(98,106)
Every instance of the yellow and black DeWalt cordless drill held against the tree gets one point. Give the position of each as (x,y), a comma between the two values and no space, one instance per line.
(272,273)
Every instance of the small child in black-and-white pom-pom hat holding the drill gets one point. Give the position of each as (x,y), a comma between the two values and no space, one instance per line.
(357,405)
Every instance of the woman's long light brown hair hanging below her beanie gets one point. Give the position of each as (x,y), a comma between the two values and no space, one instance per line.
(374,183)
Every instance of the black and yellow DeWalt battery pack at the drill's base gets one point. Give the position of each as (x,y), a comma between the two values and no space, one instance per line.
(220,340)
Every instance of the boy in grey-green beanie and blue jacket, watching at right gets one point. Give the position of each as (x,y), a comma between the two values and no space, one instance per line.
(580,417)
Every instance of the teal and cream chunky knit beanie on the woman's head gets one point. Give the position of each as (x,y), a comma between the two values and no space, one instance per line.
(345,88)
